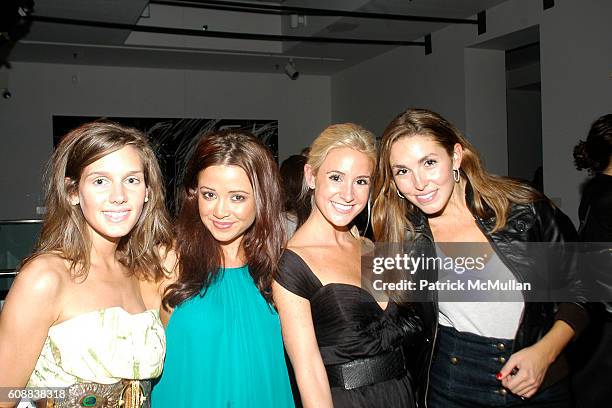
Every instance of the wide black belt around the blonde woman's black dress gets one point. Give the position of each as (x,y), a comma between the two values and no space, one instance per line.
(367,371)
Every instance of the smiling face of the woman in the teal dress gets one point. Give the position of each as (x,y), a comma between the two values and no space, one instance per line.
(226,203)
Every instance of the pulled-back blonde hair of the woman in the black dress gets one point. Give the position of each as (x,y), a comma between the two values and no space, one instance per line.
(333,137)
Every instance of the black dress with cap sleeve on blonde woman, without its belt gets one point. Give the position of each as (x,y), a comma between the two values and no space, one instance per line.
(350,325)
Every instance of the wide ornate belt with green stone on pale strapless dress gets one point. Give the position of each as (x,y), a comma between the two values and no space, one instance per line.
(122,394)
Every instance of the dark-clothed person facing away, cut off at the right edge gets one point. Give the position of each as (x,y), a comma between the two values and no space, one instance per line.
(594,351)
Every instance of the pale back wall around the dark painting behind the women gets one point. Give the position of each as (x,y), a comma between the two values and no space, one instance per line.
(42,90)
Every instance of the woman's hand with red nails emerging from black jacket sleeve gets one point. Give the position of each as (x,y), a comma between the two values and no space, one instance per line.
(524,372)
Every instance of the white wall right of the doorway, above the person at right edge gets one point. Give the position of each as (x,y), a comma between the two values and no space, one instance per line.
(576,60)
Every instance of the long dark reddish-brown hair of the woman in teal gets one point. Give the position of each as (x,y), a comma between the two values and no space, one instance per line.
(200,255)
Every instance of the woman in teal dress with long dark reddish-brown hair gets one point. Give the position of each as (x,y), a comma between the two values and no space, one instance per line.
(224,344)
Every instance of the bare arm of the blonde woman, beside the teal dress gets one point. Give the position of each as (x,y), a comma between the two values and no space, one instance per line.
(301,344)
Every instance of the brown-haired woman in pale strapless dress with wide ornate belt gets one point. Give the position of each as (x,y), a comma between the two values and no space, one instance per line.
(83,312)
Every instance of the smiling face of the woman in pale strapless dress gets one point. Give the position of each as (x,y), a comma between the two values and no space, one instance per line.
(111,194)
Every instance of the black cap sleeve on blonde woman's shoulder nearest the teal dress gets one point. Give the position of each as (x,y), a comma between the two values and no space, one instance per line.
(295,276)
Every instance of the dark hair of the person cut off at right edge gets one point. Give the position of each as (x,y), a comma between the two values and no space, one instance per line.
(595,153)
